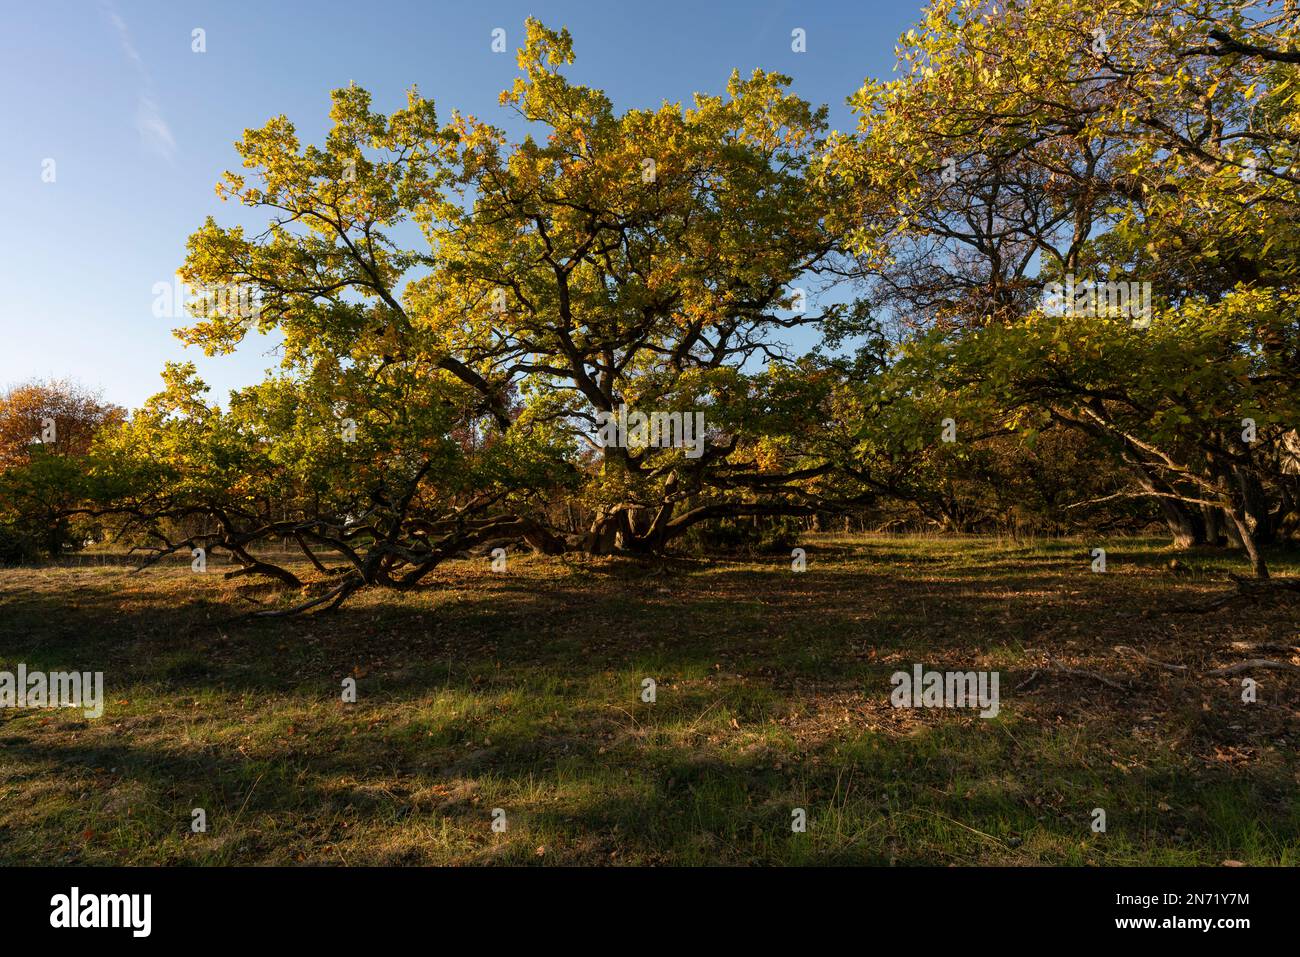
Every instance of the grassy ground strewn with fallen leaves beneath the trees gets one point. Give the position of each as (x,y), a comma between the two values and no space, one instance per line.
(523,692)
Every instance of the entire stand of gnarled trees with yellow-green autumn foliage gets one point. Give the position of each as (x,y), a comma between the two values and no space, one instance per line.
(458,311)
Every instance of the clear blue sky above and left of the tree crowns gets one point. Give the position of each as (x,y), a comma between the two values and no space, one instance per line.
(141,128)
